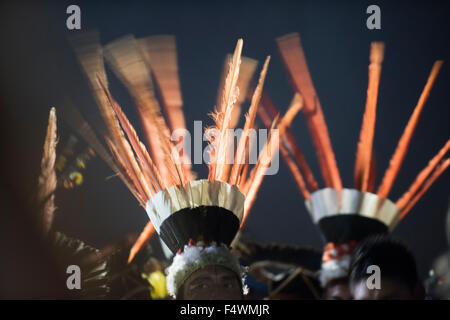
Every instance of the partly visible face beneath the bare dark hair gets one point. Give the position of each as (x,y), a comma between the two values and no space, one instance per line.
(389,290)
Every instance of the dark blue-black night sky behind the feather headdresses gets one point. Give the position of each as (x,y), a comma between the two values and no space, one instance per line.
(39,70)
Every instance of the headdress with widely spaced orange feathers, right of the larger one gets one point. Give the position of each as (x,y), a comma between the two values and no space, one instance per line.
(346,214)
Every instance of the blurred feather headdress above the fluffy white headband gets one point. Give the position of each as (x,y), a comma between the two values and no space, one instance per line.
(180,208)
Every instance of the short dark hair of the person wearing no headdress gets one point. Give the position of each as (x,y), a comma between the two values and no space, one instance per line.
(392,257)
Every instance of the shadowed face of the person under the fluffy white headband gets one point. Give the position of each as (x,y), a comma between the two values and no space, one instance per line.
(212,283)
